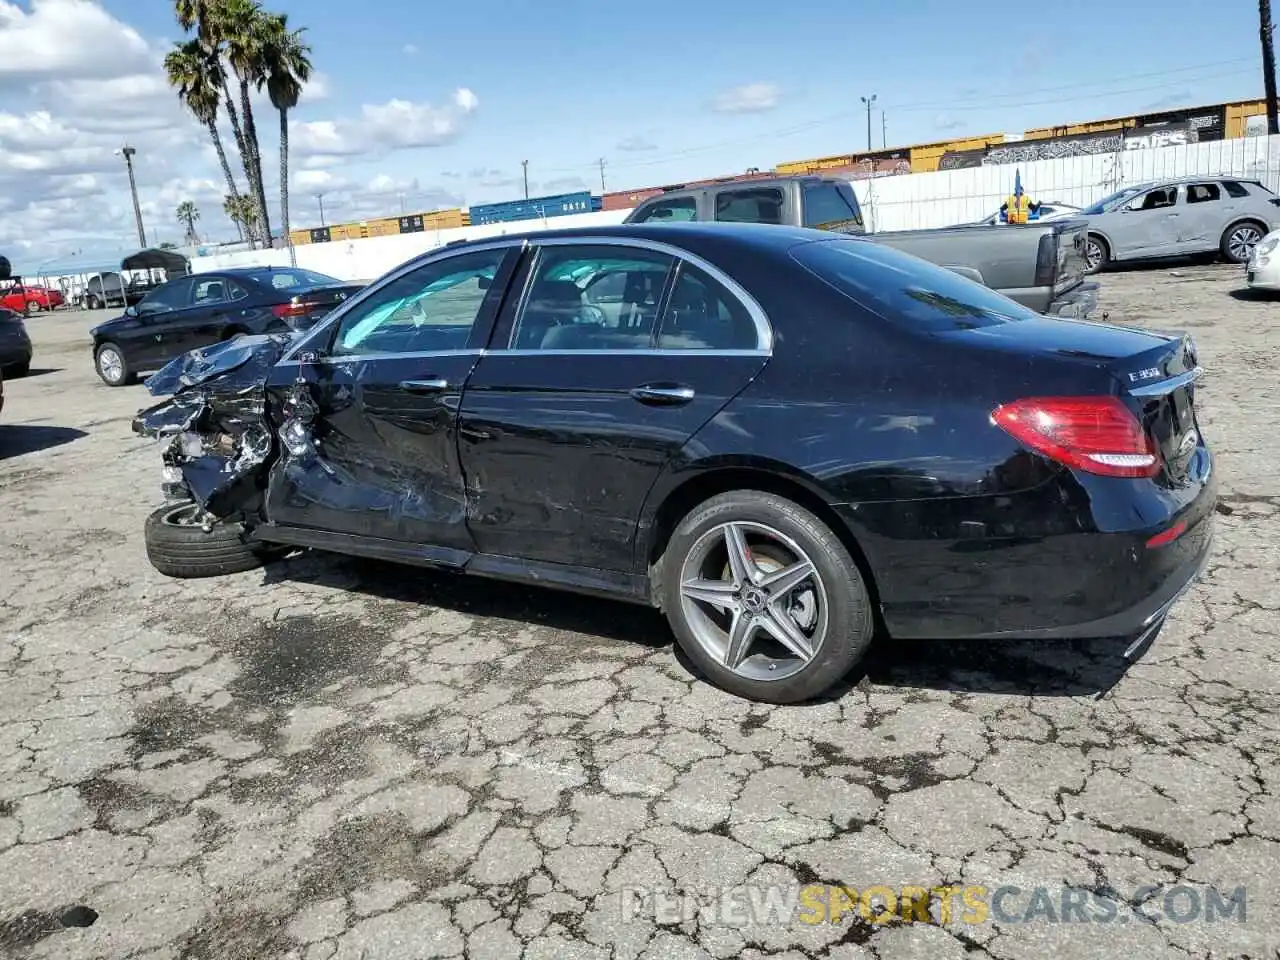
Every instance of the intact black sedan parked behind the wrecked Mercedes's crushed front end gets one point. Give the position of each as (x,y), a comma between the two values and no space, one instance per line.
(198,312)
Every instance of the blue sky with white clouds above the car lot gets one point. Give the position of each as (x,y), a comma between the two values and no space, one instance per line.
(665,92)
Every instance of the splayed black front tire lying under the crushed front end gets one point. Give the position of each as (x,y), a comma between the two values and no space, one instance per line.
(188,552)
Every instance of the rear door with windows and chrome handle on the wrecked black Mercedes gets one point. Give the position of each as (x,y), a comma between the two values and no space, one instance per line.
(618,355)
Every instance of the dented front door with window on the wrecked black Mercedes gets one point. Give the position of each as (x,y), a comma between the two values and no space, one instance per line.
(387,382)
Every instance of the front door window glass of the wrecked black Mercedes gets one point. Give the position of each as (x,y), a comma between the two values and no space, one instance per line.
(428,310)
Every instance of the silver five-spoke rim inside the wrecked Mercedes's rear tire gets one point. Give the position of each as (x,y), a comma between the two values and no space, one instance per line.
(755,601)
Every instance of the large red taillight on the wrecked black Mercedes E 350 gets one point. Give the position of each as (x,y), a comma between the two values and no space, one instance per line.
(1095,435)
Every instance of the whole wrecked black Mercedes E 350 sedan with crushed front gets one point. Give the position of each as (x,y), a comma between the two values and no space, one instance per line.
(787,441)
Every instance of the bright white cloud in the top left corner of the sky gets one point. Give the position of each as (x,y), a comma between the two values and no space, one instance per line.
(67,40)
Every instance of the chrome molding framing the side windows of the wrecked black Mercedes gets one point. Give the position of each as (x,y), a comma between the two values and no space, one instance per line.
(761,321)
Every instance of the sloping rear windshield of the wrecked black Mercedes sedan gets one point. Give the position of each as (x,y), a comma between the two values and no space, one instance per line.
(904,289)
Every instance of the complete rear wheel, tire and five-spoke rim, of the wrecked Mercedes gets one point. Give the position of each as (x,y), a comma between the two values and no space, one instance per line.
(765,598)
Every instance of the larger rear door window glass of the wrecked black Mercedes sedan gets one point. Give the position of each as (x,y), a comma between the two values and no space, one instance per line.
(588,298)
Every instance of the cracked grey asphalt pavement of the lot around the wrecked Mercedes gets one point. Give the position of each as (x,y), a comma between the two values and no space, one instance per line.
(332,758)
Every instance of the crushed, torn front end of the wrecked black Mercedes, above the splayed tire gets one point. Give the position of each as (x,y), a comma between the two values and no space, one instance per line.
(217,436)
